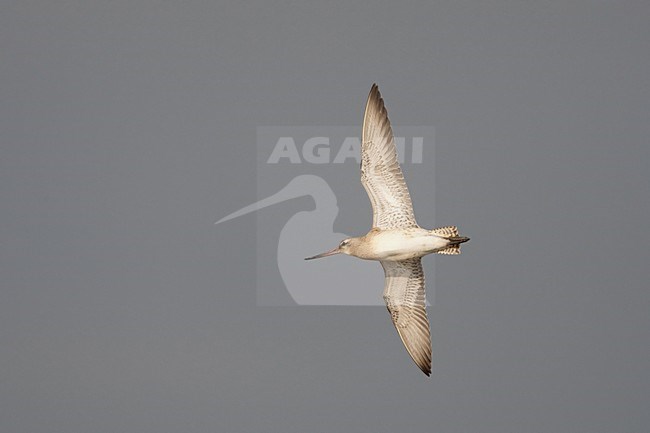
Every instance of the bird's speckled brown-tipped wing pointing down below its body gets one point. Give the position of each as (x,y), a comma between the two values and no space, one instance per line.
(405,299)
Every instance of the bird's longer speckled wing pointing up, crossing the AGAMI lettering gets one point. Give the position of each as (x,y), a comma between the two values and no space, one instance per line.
(381,175)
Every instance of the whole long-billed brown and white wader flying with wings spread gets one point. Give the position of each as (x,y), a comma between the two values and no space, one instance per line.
(396,240)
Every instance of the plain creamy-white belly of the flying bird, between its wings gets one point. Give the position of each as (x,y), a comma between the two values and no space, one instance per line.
(398,246)
